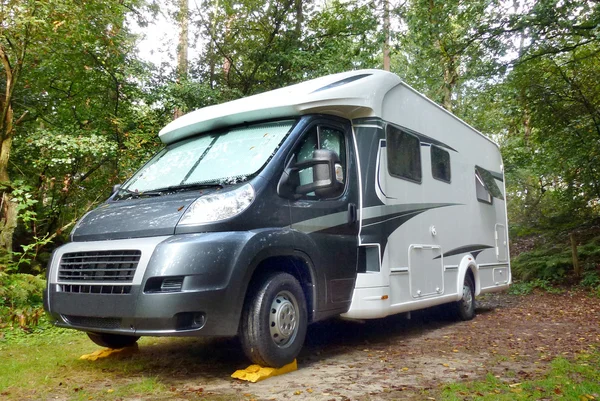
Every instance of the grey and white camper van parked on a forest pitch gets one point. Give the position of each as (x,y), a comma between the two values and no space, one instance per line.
(348,195)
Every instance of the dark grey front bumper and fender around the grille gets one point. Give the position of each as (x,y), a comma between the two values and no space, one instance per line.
(215,267)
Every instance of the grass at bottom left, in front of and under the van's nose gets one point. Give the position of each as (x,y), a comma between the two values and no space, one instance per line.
(46,365)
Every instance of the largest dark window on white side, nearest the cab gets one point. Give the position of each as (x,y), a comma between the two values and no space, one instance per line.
(403,154)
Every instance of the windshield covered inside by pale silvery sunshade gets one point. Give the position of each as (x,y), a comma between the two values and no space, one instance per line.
(223,157)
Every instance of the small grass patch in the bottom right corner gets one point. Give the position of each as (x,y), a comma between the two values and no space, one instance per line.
(565,380)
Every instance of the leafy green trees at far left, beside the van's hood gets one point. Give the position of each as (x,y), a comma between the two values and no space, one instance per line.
(66,69)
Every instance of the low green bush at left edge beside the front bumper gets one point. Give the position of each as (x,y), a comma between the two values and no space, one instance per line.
(21,299)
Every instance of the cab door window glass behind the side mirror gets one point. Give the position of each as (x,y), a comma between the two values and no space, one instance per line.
(320,137)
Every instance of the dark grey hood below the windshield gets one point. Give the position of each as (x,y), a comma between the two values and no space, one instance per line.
(134,218)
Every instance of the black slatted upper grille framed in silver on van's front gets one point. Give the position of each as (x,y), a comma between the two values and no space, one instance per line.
(99,266)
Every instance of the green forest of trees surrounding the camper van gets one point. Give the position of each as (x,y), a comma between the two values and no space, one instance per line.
(80,109)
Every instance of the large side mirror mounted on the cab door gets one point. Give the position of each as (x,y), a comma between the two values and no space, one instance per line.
(328,180)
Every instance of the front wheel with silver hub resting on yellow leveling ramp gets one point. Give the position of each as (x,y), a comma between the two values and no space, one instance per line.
(274,321)
